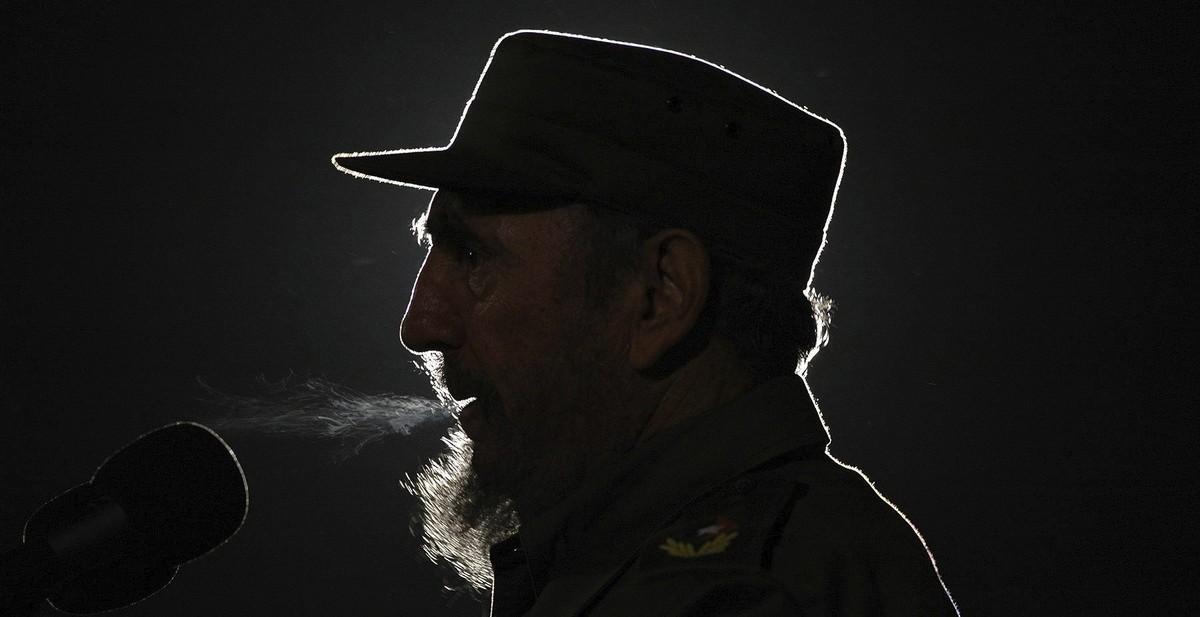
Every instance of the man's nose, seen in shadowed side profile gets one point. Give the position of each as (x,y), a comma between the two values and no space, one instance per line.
(433,322)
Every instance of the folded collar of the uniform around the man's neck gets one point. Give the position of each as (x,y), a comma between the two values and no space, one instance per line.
(609,517)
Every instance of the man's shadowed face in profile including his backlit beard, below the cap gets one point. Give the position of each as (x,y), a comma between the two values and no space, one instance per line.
(502,319)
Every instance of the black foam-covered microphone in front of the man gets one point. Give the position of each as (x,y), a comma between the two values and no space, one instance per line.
(170,498)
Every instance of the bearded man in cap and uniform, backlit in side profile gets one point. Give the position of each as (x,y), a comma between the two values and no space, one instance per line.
(619,286)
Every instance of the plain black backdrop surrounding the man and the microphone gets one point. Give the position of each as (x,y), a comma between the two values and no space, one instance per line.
(1011,256)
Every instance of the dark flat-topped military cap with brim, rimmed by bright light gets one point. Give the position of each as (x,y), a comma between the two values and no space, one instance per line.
(656,134)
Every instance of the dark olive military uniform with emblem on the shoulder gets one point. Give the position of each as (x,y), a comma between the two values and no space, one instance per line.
(739,512)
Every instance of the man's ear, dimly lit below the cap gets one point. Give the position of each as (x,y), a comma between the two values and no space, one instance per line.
(674,283)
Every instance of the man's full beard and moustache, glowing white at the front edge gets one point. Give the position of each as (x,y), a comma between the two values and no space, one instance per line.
(526,453)
